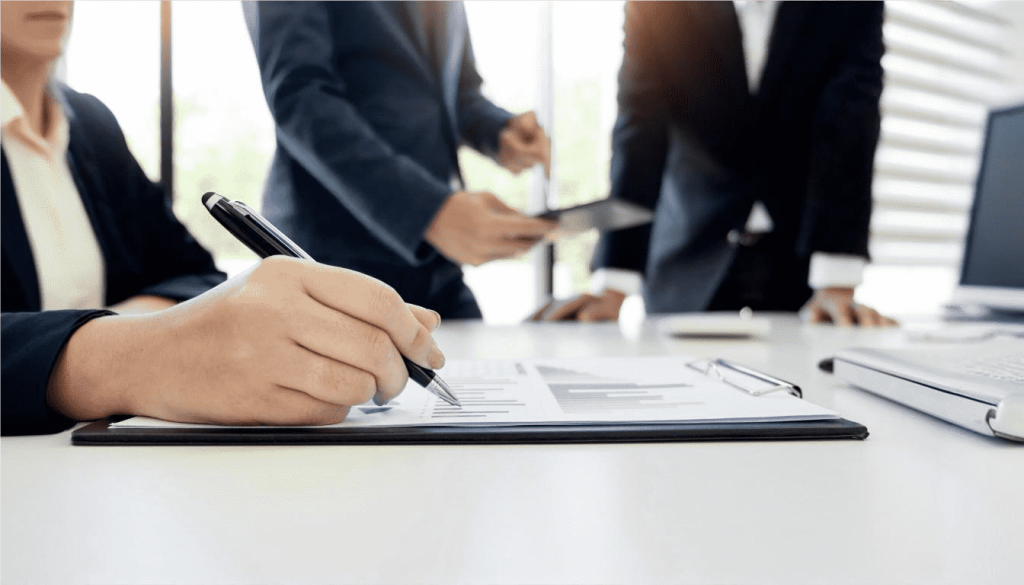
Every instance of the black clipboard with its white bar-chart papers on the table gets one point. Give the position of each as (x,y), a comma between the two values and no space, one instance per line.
(605,400)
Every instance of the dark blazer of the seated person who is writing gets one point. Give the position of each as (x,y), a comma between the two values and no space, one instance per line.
(146,252)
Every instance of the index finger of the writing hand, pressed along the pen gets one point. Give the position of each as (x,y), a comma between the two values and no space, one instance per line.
(372,302)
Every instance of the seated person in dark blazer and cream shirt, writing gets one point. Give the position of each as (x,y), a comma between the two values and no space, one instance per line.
(94,266)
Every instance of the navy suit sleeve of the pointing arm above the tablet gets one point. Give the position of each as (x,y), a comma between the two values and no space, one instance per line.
(481,121)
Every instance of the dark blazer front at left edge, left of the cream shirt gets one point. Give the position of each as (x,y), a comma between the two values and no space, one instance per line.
(16,239)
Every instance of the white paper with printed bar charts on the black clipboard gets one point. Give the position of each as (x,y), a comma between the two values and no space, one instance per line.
(571,392)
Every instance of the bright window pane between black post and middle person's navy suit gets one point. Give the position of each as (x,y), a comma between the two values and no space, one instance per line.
(224,133)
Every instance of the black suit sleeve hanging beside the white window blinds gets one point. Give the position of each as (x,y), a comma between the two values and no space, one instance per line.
(845,134)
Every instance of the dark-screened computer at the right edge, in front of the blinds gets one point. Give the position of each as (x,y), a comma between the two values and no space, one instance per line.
(992,282)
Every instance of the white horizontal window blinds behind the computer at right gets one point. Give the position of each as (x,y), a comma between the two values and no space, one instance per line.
(944,70)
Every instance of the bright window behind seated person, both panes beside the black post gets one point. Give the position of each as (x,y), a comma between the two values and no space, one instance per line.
(224,135)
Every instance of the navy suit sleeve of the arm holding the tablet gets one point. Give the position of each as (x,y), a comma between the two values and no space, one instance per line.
(323,132)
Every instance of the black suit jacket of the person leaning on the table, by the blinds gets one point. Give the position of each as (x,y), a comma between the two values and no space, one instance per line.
(692,143)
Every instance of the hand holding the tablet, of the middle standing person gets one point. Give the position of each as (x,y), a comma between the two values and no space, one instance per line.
(477,228)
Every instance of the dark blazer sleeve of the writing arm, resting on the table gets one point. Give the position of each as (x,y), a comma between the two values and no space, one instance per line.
(31,344)
